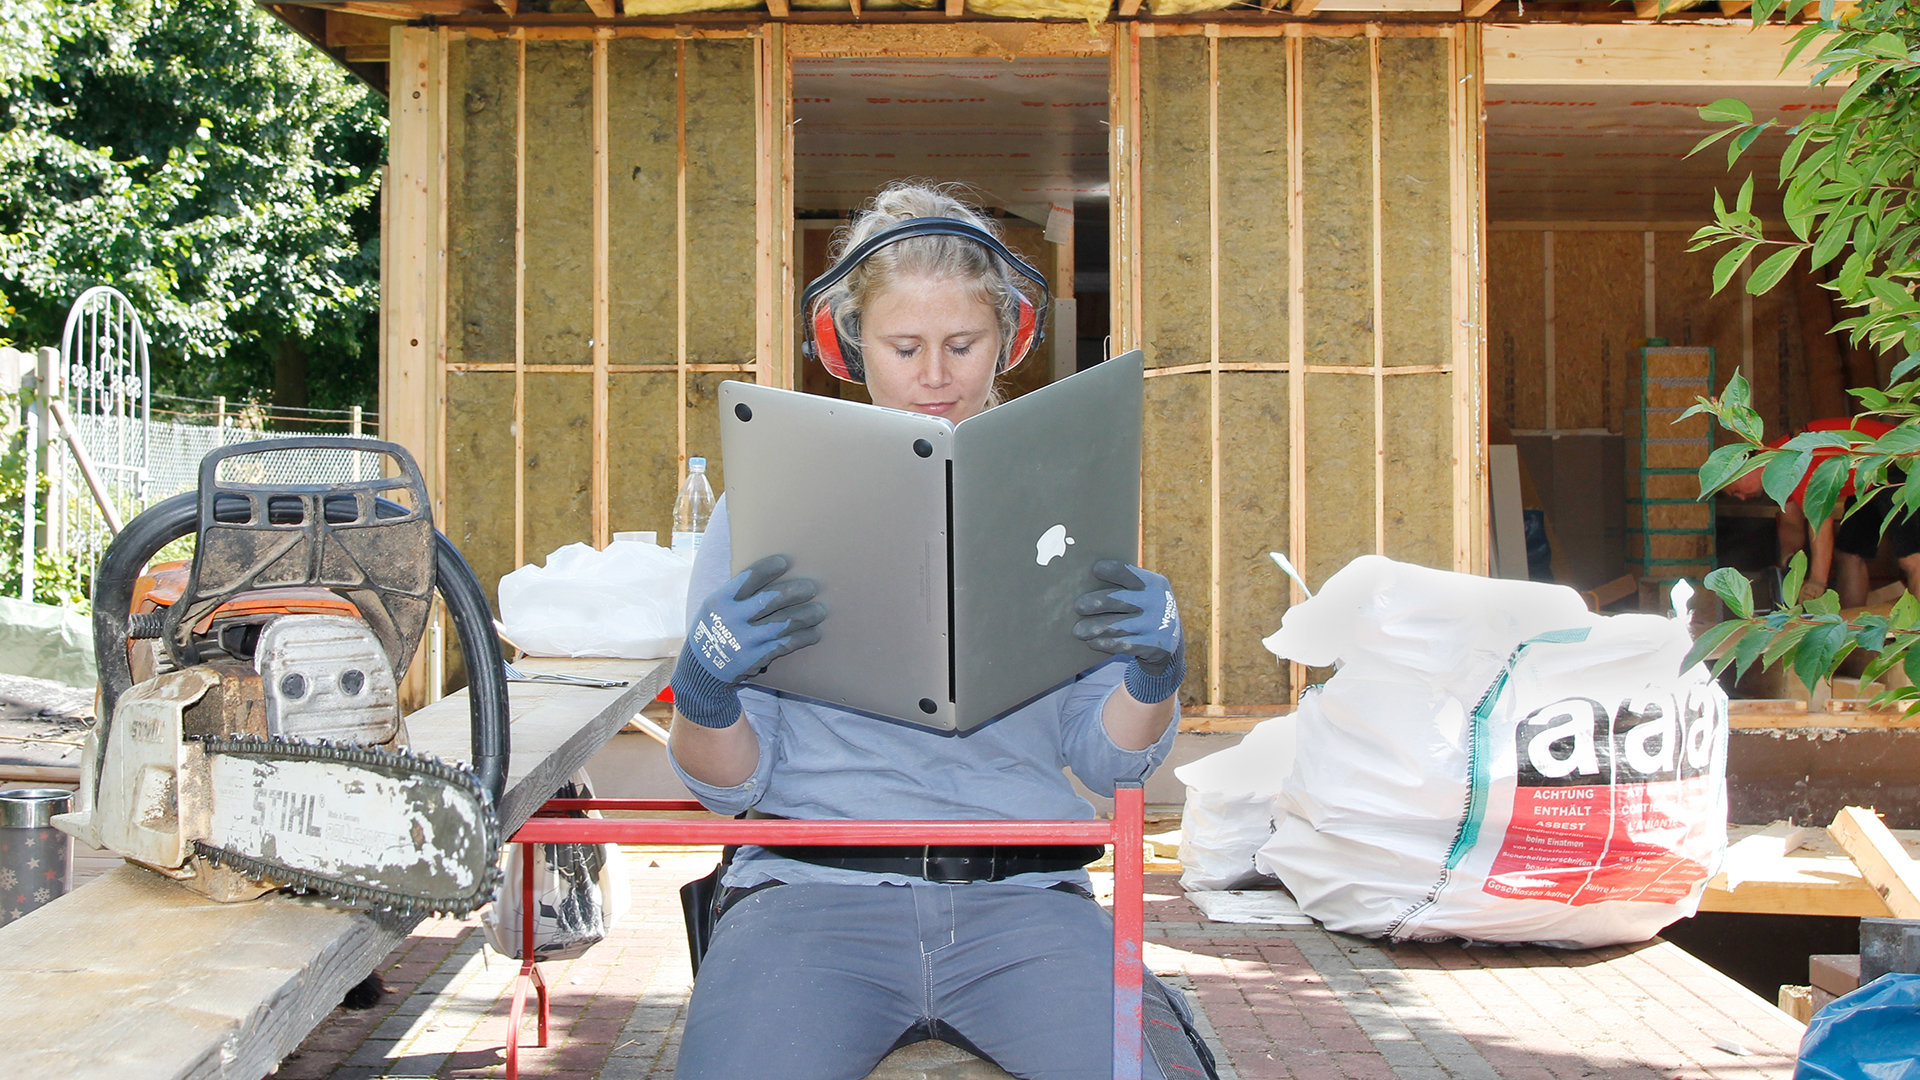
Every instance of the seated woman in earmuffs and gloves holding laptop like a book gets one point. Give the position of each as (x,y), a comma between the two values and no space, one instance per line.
(827,960)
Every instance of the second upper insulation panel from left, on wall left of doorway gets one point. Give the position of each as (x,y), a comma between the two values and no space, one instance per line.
(560,203)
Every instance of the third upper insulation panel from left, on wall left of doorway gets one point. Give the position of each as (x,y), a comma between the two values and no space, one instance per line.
(642,233)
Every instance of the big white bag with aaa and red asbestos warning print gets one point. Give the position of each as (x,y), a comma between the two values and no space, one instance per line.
(1495,762)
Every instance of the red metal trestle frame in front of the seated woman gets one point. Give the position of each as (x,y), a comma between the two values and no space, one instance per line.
(1126,833)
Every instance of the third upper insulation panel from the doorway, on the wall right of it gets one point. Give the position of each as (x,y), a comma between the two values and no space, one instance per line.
(1337,109)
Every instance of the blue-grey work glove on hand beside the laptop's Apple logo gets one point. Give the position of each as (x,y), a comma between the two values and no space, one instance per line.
(1138,620)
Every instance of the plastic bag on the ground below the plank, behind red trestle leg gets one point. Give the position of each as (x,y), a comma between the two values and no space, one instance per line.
(581,893)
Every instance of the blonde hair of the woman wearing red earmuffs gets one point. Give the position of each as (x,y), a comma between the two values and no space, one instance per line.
(921,257)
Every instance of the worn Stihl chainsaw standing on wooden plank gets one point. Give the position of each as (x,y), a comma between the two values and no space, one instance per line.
(249,725)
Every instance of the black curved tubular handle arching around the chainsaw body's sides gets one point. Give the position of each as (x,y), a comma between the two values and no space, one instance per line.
(180,516)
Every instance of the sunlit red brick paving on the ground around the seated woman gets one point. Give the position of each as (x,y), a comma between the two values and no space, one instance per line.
(1276,1002)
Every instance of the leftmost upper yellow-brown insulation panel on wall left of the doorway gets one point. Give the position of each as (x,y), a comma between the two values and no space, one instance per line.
(483,78)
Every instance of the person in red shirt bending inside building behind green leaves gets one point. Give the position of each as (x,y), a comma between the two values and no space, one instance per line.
(1842,551)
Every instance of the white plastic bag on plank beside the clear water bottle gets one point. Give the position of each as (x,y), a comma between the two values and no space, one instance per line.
(627,601)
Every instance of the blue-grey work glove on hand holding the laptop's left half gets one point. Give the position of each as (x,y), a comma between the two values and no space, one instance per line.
(742,627)
